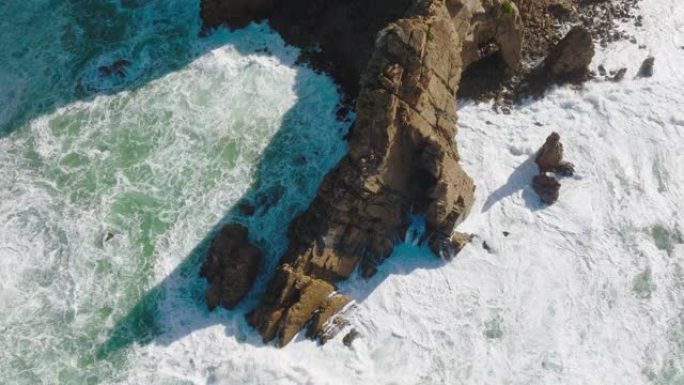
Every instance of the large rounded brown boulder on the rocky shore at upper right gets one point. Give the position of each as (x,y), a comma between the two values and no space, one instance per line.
(570,58)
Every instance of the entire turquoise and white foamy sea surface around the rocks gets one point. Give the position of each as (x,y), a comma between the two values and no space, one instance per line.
(126,139)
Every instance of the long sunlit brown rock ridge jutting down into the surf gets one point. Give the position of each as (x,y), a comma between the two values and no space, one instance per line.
(401,159)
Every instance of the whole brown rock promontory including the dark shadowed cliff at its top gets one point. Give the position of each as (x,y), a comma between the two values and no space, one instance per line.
(402,156)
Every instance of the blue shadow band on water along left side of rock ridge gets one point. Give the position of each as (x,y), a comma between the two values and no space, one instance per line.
(292,162)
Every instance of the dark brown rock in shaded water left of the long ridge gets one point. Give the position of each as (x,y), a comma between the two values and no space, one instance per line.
(231,266)
